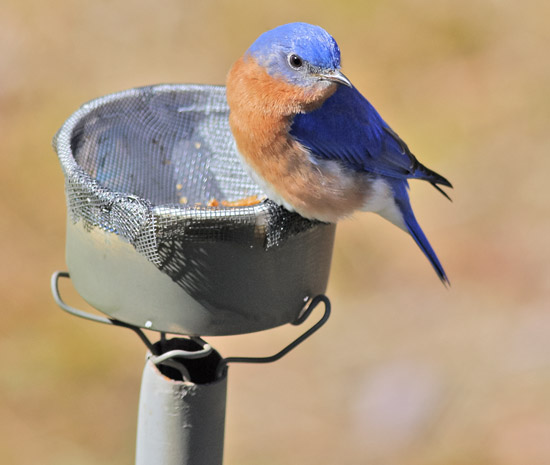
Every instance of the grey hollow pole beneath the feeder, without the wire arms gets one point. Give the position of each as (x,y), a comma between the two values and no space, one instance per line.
(181,422)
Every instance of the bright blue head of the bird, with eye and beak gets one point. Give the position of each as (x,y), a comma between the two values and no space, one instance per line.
(300,53)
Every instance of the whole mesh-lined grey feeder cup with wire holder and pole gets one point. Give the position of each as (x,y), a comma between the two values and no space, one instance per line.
(155,241)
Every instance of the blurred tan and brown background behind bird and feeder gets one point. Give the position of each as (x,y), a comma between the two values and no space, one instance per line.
(406,372)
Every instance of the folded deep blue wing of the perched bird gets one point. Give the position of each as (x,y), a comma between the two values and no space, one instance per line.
(347,128)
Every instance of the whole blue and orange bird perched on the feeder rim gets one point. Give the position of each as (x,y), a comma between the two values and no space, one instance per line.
(312,142)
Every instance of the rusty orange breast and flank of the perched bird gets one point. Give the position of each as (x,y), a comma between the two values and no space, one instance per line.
(261,111)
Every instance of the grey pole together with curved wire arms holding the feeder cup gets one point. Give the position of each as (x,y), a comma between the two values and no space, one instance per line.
(181,418)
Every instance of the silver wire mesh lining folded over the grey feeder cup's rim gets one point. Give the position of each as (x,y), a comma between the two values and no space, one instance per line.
(144,163)
